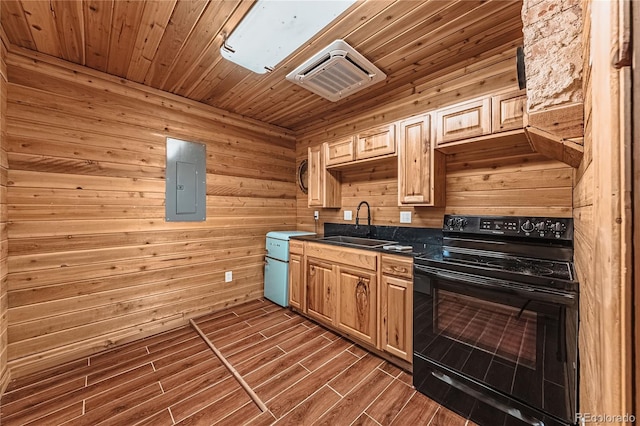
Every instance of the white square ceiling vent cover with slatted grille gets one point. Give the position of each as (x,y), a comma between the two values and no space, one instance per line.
(336,72)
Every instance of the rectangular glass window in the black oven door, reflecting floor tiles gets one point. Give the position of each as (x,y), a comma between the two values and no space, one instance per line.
(500,330)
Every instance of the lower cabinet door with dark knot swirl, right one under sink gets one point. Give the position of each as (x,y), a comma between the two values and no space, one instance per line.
(356,313)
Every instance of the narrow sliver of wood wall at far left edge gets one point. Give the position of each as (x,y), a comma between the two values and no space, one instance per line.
(4,242)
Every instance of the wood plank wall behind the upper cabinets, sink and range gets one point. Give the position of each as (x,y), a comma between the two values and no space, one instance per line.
(509,181)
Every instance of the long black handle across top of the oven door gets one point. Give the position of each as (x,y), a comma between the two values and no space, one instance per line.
(530,292)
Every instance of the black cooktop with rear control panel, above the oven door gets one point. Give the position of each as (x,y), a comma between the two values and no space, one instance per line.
(531,250)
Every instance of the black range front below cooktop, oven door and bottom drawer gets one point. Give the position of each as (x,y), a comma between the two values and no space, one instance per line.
(491,348)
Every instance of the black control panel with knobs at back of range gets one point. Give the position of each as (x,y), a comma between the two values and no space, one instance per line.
(517,226)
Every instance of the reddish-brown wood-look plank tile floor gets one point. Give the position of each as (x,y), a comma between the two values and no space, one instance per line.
(304,373)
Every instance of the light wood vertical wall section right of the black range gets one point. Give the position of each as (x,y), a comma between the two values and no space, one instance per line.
(602,225)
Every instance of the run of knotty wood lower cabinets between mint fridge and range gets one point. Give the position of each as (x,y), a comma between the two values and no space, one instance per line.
(368,298)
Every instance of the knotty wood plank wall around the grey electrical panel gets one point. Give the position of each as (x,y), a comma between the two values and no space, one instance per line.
(92,263)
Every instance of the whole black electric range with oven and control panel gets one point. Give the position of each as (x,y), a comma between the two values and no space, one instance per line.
(496,320)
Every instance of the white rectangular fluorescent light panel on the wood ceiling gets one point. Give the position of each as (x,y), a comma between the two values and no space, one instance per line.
(273,29)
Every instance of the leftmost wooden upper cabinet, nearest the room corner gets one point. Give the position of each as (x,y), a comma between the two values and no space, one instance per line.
(324,185)
